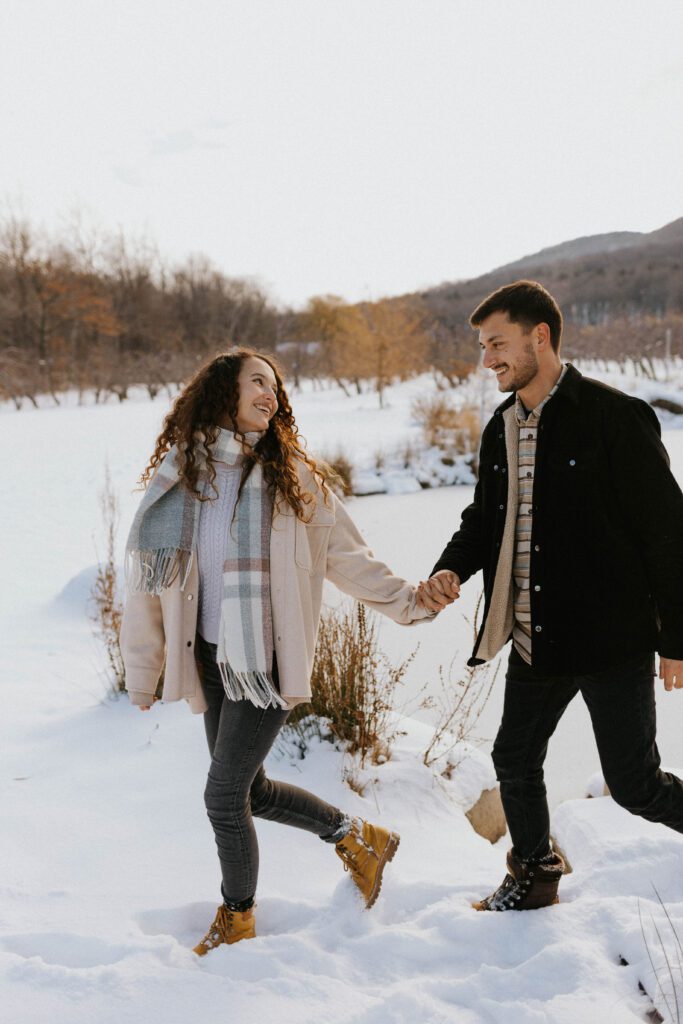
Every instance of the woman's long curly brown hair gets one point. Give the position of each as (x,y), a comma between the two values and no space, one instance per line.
(211,395)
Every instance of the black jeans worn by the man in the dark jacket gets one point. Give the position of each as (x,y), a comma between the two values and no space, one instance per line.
(621,703)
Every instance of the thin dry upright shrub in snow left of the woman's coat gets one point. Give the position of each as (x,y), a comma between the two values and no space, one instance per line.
(108,608)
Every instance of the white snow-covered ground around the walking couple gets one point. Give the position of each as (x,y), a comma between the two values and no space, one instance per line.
(110,873)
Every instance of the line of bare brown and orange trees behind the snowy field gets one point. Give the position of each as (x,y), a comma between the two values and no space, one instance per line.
(100,315)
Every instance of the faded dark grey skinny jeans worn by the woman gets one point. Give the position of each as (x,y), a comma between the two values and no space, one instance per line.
(240,737)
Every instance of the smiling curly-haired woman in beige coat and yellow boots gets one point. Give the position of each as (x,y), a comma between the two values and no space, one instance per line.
(226,563)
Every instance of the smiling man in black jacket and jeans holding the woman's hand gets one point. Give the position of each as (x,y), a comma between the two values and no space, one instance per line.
(578,525)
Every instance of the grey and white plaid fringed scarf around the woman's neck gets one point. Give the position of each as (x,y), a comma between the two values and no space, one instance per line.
(161,547)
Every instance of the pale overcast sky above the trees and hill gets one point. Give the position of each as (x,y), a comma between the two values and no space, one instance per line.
(358,148)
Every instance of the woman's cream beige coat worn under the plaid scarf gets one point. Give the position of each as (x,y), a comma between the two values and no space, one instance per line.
(160,632)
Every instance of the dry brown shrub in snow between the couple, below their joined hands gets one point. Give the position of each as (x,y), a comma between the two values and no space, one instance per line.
(353,688)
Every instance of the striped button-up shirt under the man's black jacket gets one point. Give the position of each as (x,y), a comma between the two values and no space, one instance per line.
(529,430)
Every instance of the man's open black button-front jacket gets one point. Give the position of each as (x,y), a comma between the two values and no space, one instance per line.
(607,565)
